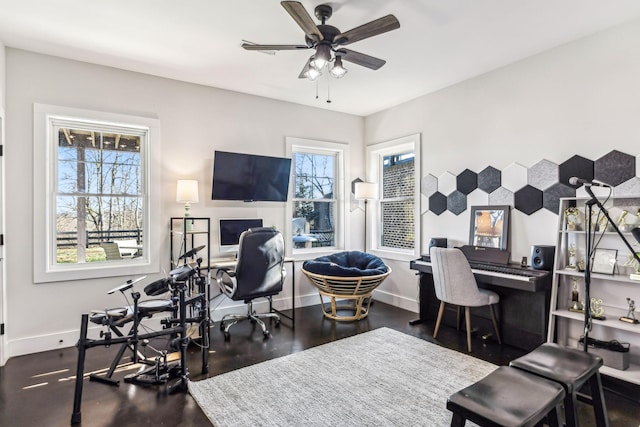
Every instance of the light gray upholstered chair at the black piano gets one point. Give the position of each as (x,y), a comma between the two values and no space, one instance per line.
(455,284)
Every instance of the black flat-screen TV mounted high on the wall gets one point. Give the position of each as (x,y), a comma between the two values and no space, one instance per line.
(249,177)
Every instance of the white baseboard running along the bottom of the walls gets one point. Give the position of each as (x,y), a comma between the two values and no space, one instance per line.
(65,339)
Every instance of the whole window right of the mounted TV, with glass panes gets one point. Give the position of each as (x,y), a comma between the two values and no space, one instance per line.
(317,211)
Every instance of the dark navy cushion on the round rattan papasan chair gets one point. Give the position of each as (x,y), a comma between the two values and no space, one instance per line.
(346,264)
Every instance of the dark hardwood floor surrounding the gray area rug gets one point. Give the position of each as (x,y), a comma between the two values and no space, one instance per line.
(38,389)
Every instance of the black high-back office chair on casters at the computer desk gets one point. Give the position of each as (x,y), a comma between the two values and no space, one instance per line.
(258,273)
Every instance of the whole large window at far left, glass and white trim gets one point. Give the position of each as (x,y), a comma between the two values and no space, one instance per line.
(95,176)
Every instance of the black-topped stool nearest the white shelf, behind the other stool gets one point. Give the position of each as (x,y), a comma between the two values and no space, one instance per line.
(571,368)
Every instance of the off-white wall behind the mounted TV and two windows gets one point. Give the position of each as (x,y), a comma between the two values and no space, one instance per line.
(195,121)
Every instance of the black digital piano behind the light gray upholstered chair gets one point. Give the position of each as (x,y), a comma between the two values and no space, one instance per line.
(524,303)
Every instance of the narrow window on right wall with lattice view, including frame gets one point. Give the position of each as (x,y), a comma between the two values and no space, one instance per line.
(395,166)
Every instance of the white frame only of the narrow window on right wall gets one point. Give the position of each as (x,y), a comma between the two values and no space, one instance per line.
(375,155)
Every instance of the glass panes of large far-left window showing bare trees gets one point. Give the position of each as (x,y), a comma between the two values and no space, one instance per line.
(99,197)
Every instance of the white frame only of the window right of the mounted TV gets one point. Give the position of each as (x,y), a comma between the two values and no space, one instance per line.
(341,152)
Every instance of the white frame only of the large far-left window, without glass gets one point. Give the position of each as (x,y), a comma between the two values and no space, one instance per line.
(45,267)
